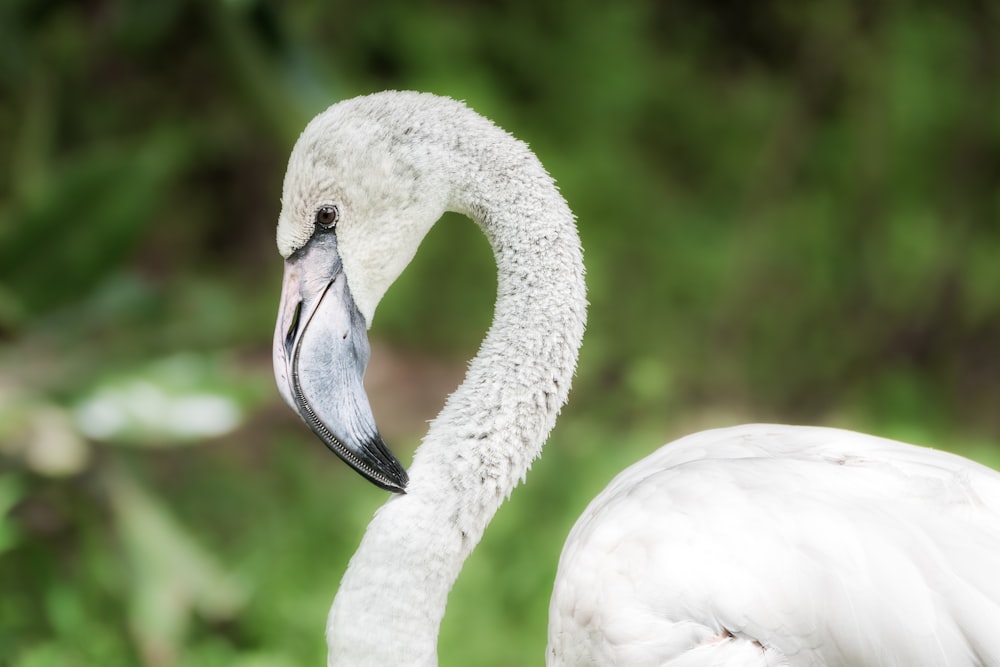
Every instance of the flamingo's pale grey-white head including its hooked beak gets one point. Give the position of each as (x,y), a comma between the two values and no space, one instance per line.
(360,193)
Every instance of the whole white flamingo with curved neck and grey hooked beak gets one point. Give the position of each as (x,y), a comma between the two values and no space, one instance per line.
(752,545)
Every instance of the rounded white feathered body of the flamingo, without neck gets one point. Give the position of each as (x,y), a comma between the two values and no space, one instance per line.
(797,545)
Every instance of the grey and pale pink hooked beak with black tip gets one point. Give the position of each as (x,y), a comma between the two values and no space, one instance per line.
(320,354)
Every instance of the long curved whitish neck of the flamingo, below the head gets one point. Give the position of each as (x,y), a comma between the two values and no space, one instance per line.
(392,598)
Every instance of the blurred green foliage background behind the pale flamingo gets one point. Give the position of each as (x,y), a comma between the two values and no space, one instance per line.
(791,211)
